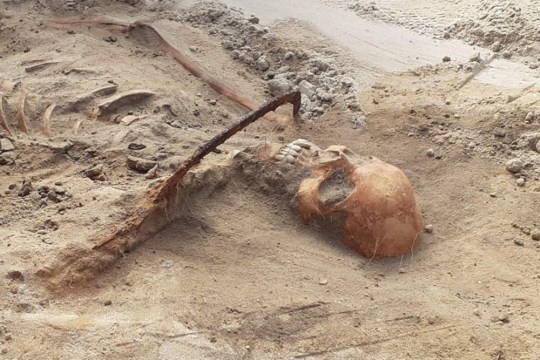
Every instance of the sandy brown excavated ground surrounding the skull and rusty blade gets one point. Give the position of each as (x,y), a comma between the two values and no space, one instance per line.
(238,275)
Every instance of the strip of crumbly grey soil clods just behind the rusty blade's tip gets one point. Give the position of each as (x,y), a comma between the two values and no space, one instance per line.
(282,65)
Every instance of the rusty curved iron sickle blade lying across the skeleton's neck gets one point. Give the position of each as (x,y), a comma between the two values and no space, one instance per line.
(154,213)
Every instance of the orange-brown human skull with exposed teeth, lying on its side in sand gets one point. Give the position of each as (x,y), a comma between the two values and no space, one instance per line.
(382,218)
